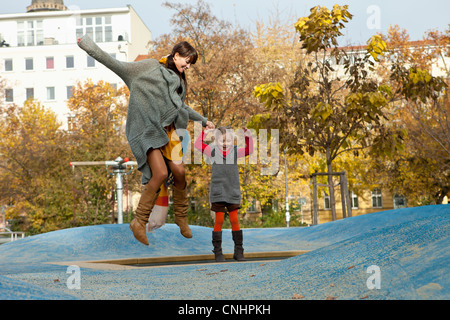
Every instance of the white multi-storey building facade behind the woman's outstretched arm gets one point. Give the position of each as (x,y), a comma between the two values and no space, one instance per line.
(40,58)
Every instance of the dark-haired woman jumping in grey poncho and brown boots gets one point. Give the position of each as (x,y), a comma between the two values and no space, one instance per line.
(156,108)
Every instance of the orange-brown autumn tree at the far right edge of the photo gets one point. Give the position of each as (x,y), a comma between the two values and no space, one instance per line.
(418,72)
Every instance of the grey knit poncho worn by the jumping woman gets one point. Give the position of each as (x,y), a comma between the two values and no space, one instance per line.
(154,102)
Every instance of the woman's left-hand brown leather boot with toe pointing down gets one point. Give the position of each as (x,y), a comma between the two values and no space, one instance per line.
(142,213)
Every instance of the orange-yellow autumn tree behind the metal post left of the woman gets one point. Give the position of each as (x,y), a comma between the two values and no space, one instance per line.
(99,111)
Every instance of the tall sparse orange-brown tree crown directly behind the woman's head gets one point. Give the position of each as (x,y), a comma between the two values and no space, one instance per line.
(221,82)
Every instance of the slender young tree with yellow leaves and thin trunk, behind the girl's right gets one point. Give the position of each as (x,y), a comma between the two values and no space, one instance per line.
(330,108)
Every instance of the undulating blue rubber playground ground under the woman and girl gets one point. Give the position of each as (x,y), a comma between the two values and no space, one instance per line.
(398,254)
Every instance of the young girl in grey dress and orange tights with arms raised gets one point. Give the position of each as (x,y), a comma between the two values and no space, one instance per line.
(225,189)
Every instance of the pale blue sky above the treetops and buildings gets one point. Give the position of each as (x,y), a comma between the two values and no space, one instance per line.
(370,17)
